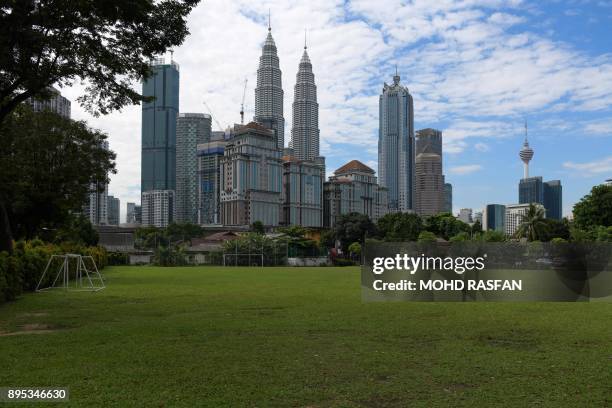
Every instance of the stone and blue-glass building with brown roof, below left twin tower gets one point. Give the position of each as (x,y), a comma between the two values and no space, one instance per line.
(251,183)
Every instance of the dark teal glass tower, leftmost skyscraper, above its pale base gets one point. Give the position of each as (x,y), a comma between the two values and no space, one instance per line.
(158,166)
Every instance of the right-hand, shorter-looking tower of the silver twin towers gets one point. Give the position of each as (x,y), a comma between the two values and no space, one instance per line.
(305,129)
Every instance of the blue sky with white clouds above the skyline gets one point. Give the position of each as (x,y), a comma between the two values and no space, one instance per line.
(477,71)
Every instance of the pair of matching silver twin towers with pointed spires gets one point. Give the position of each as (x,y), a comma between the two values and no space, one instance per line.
(269,101)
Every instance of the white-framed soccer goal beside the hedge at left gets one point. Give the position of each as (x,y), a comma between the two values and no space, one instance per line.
(73,272)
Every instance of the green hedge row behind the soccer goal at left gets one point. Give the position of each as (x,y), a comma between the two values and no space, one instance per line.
(22,270)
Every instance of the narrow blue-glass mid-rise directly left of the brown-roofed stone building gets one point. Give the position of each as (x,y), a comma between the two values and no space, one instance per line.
(209,180)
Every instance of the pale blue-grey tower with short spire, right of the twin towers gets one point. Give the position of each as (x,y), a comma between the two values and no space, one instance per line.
(396,148)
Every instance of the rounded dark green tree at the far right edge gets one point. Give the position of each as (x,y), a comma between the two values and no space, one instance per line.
(595,208)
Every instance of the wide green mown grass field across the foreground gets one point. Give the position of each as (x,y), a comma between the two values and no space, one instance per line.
(299,337)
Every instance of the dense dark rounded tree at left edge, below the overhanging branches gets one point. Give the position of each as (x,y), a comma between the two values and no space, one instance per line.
(47,166)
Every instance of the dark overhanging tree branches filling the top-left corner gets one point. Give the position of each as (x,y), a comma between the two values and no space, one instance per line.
(106,44)
